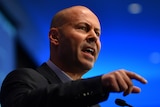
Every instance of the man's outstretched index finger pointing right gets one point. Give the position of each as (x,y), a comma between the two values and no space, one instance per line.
(137,77)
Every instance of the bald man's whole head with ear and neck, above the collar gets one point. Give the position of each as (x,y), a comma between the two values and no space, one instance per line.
(73,30)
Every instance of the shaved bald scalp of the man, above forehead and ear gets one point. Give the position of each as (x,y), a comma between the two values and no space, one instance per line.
(65,15)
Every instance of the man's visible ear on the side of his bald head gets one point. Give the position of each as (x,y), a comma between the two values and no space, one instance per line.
(53,36)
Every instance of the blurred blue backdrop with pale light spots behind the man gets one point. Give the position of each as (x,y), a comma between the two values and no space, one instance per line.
(130,40)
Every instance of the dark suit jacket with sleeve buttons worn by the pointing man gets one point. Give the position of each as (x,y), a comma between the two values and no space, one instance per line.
(27,87)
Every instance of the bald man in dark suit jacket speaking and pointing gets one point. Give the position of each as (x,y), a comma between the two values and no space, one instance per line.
(74,46)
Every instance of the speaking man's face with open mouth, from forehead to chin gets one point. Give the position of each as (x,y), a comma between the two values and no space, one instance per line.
(80,40)
